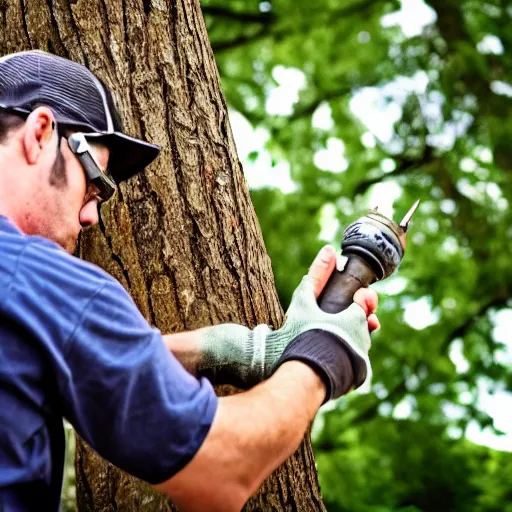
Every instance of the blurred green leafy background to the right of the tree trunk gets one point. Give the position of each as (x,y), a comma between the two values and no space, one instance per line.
(342,105)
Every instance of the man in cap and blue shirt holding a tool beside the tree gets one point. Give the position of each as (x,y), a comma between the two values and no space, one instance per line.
(73,344)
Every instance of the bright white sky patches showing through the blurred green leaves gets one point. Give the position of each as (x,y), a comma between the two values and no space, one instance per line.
(378,116)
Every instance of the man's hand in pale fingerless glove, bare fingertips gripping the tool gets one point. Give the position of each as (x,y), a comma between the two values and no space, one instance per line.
(237,355)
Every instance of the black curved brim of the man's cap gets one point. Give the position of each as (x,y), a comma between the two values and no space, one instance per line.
(128,156)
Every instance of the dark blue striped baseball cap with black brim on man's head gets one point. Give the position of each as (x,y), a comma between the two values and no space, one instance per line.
(78,99)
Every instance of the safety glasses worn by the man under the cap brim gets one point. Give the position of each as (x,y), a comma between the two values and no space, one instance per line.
(102,185)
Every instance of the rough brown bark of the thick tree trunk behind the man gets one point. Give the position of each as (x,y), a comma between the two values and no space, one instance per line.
(183,237)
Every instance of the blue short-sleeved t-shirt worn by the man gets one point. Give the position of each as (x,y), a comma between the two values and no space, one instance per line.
(74,345)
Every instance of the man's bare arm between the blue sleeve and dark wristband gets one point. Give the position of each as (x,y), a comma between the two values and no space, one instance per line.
(252,434)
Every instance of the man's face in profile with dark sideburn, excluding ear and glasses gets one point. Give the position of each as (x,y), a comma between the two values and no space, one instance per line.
(66,200)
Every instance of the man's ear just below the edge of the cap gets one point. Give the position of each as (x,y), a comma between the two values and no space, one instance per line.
(39,130)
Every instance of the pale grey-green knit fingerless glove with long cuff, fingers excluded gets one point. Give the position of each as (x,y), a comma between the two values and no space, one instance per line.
(241,356)
